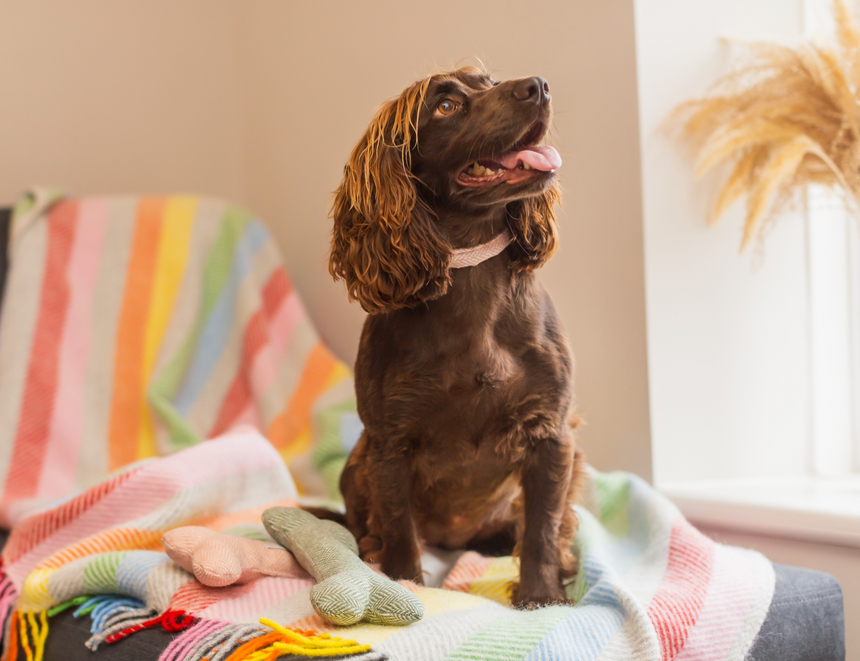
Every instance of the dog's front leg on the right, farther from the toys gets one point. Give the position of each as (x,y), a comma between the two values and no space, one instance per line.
(546,482)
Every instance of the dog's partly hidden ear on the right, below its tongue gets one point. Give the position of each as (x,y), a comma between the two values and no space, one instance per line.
(535,231)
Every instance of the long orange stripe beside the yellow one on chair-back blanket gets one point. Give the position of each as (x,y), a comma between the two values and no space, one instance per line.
(129,392)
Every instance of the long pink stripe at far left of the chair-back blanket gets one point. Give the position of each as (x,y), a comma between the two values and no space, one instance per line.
(64,437)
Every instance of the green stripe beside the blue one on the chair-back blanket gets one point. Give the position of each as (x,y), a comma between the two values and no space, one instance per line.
(215,275)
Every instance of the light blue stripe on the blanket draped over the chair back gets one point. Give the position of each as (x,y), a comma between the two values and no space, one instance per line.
(213,336)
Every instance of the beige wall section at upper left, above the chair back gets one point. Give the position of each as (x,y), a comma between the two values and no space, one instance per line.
(102,96)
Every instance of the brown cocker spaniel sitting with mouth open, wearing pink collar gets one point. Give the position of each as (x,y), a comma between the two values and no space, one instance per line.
(464,374)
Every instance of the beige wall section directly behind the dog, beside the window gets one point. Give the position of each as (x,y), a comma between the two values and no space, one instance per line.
(317,70)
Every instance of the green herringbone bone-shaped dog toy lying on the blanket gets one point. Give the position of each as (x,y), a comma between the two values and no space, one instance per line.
(347,591)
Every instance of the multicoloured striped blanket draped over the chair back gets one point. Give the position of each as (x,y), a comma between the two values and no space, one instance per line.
(135,327)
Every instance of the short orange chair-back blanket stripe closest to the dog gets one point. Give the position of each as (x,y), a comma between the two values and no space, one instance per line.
(287,426)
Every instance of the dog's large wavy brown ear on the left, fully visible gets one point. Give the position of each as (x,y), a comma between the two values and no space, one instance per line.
(385,245)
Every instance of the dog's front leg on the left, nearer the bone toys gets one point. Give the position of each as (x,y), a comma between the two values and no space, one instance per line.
(392,518)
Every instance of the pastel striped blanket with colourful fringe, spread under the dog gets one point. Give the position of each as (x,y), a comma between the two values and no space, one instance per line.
(650,588)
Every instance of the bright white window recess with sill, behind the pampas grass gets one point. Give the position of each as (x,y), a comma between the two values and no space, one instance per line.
(754,365)
